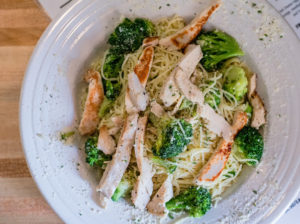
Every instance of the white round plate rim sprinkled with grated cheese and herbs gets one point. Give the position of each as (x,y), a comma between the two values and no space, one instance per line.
(49,104)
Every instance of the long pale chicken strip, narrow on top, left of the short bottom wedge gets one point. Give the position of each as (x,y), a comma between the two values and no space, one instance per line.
(143,188)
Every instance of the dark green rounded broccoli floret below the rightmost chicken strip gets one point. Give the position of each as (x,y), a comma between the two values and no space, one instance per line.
(249,144)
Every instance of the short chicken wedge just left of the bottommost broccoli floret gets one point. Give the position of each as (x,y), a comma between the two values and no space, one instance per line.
(157,205)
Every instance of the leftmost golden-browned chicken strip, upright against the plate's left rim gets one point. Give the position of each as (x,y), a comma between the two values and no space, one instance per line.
(90,119)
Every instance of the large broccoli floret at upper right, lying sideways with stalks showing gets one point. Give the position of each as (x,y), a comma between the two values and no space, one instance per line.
(217,46)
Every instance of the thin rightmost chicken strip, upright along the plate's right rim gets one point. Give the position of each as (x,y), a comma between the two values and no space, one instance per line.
(259,111)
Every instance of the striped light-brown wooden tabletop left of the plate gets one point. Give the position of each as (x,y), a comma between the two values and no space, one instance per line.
(21,24)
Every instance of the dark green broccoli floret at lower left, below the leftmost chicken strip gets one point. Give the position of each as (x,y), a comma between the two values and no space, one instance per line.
(94,156)
